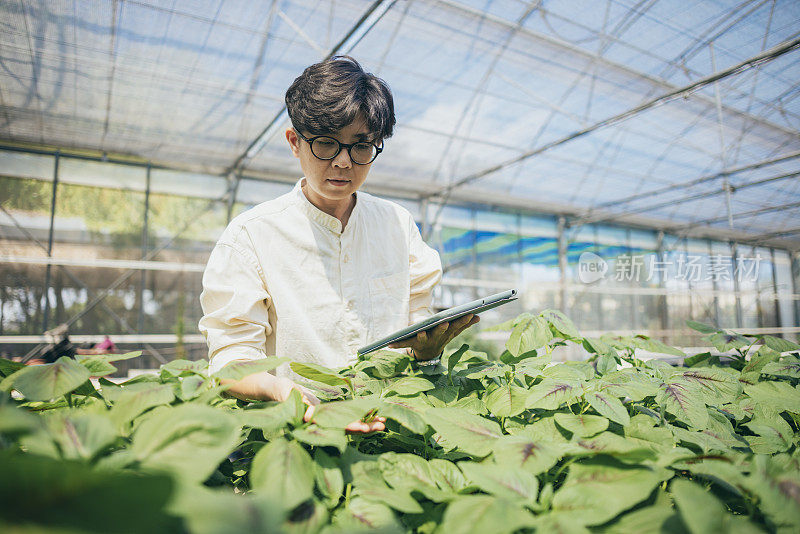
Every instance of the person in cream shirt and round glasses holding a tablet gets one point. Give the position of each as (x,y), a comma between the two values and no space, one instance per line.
(323,270)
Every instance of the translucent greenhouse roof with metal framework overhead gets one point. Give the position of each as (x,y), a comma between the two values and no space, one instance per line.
(670,114)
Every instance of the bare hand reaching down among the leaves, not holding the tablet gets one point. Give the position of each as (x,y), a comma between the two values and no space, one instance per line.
(266,386)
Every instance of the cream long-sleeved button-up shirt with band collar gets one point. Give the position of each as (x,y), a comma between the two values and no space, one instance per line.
(285,279)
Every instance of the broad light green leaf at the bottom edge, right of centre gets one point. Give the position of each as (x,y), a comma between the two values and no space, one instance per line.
(597,490)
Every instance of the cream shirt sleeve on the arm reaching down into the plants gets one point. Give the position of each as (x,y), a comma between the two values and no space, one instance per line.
(235,306)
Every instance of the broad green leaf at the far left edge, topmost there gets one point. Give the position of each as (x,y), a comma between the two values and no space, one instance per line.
(46,382)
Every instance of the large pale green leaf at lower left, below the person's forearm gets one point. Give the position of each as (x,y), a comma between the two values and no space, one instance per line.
(188,441)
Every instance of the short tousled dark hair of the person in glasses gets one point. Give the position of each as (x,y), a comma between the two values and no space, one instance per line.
(328,96)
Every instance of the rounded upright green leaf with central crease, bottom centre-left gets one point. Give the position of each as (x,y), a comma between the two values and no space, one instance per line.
(284,472)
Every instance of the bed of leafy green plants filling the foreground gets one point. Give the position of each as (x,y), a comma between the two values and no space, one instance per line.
(502,443)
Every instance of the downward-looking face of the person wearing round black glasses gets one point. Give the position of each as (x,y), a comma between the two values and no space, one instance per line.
(331,183)
